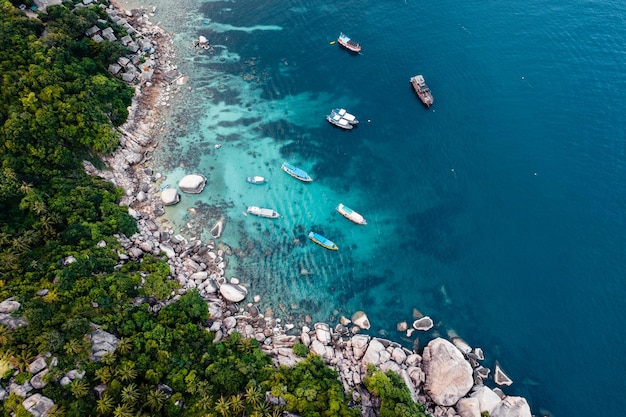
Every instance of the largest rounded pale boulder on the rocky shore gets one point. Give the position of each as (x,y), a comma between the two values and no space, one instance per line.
(448,374)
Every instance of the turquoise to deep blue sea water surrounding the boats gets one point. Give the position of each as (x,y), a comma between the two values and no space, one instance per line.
(499,212)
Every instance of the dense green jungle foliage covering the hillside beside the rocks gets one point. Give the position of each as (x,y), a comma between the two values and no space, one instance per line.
(58,107)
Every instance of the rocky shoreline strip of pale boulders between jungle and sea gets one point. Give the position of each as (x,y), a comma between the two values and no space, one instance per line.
(201,265)
